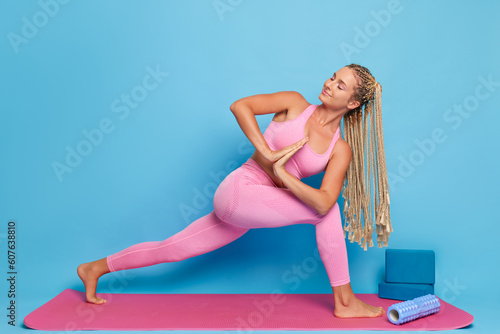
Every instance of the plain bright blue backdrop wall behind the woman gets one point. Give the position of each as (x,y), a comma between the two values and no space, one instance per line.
(68,76)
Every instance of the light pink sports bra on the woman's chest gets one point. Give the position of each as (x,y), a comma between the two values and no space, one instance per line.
(305,162)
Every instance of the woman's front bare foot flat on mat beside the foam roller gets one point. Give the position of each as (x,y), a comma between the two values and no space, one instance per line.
(347,305)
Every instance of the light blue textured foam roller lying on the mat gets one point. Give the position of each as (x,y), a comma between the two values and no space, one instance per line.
(413,309)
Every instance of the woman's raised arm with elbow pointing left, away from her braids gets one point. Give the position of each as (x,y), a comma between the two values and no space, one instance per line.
(245,109)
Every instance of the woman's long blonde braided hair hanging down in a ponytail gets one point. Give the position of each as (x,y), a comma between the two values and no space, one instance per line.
(363,132)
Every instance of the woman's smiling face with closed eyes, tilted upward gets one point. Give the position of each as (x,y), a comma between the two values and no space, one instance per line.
(337,90)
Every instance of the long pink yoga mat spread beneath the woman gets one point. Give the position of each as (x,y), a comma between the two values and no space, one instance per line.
(244,312)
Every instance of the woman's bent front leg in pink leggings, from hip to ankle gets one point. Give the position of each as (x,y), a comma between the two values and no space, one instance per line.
(248,198)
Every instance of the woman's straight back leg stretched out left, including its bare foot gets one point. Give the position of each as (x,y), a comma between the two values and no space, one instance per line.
(201,236)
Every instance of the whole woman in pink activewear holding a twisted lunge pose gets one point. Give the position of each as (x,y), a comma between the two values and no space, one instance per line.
(266,191)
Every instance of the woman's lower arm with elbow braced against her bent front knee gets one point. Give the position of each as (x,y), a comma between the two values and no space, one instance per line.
(324,198)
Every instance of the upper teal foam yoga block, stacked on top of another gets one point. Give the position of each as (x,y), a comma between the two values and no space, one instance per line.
(410,266)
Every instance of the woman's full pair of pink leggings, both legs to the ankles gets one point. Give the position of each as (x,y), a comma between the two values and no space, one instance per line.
(247,198)
